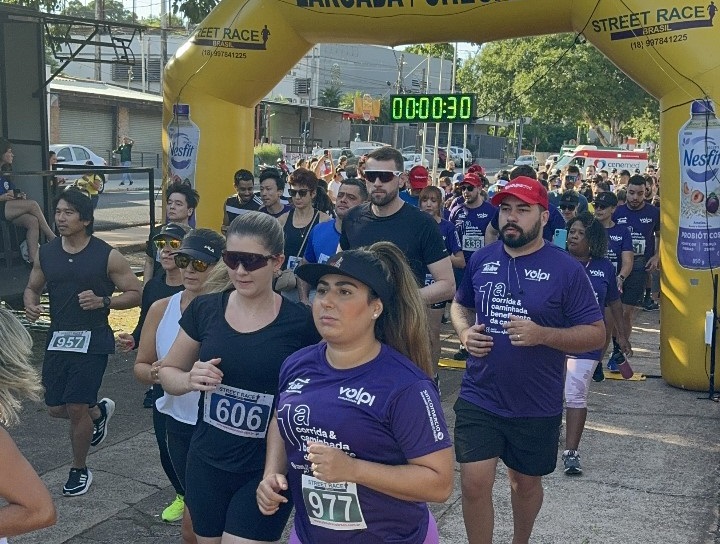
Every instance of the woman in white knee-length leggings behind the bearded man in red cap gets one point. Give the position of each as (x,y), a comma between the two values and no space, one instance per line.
(587,242)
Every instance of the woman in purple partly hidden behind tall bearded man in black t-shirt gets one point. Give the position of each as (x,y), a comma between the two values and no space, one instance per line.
(431,201)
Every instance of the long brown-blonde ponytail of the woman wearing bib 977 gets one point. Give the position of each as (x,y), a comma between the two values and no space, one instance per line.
(403,324)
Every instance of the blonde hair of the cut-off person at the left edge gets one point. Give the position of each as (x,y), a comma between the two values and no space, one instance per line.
(17,375)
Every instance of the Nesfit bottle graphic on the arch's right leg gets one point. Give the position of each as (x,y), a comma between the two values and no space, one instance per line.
(699,222)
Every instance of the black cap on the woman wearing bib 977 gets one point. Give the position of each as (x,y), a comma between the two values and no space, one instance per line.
(359,265)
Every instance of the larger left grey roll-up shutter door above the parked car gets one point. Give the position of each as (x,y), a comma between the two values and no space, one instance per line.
(92,128)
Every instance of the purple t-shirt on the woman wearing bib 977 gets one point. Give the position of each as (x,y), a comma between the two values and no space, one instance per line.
(385,411)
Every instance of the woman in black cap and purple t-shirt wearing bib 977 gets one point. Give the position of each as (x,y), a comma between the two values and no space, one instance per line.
(359,435)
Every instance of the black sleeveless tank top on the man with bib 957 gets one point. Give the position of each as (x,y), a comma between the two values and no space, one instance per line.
(67,275)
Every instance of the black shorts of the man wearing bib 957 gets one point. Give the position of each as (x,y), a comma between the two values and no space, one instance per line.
(72,378)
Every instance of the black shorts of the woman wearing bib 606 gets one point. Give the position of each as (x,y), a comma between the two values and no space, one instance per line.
(221,501)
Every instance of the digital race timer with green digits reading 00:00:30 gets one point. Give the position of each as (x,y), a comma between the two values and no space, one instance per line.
(432,108)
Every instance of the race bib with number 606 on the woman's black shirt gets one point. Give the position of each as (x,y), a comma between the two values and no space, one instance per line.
(237,411)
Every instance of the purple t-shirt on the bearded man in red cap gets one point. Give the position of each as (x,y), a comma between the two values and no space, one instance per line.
(550,288)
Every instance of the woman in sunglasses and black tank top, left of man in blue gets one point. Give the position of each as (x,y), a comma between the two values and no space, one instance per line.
(297,223)
